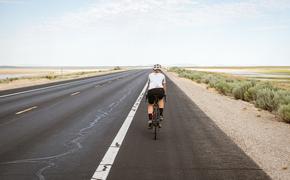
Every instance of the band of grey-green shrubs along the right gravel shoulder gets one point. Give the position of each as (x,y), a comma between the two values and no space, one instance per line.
(264,94)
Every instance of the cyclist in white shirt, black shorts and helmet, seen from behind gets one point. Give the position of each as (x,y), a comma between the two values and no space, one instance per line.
(156,88)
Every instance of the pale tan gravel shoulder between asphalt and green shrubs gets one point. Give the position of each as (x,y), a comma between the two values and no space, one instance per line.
(260,134)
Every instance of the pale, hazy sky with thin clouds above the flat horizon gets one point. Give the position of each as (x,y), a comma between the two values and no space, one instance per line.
(144,32)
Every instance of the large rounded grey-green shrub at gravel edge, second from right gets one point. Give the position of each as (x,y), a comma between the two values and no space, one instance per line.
(265,99)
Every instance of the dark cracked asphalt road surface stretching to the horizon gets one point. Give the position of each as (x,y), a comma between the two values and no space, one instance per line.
(63,131)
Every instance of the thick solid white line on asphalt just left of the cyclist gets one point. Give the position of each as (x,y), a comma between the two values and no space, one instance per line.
(104,167)
